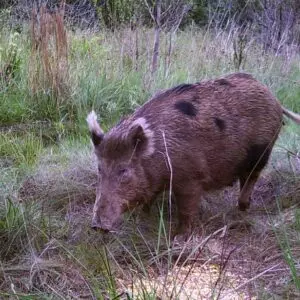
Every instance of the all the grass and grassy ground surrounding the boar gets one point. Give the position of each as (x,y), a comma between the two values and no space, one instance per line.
(48,175)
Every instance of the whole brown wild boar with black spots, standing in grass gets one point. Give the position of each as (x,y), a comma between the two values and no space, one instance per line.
(207,135)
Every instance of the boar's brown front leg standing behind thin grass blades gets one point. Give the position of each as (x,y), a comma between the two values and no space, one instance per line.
(187,199)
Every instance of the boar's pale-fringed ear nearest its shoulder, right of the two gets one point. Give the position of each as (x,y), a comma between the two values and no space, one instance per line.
(141,137)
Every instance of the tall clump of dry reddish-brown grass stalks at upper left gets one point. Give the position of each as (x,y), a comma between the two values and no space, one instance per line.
(48,65)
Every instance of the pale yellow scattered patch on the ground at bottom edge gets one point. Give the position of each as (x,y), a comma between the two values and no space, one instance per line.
(189,282)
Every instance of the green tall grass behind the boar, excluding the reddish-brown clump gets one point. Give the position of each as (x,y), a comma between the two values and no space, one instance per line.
(106,75)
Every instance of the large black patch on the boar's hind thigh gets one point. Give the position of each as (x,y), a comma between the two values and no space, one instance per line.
(257,158)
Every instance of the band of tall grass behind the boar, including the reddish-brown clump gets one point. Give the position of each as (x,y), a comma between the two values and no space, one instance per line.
(101,70)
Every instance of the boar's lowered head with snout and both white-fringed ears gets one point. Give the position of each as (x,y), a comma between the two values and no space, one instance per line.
(122,180)
